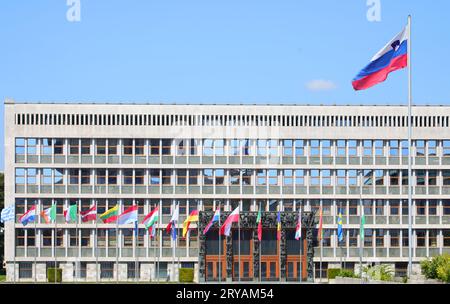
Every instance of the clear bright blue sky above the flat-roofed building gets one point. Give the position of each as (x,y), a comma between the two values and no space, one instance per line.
(216,51)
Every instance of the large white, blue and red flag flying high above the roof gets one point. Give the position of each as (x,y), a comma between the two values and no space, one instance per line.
(392,57)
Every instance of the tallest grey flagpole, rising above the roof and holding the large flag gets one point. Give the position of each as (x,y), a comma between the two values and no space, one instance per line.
(409,152)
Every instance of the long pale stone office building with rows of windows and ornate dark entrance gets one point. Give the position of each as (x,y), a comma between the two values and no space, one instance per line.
(273,158)
